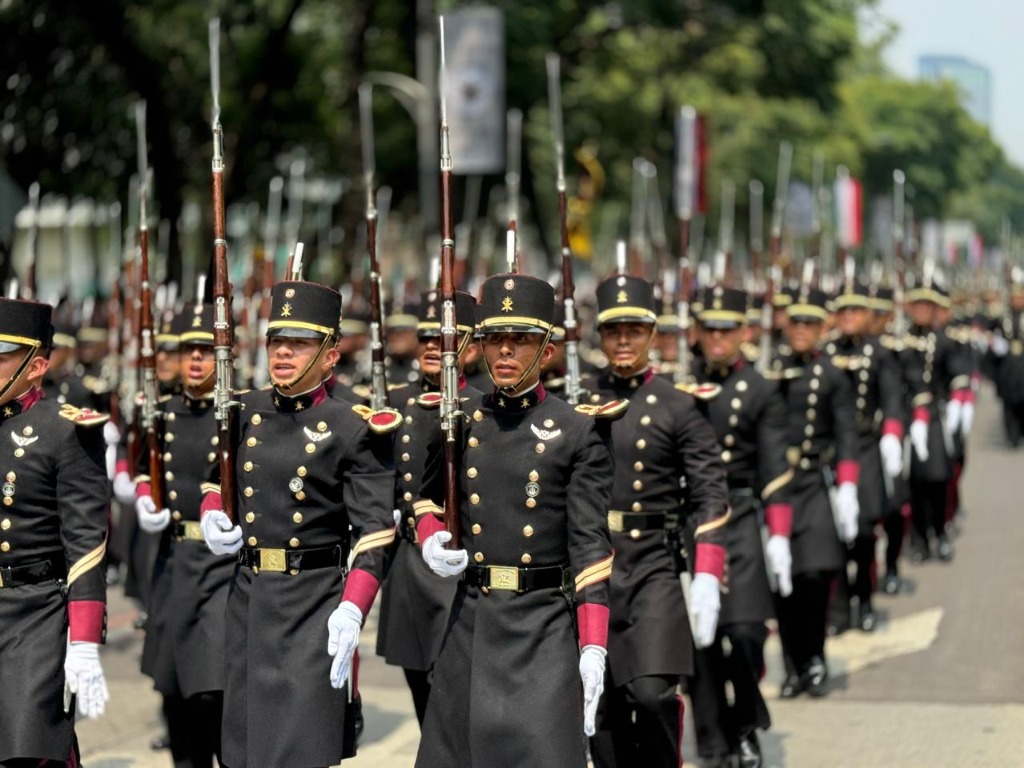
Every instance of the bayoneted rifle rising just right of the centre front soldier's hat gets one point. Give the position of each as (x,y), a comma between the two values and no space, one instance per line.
(573,389)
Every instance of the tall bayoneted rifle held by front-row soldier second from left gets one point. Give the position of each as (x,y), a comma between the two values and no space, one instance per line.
(224,332)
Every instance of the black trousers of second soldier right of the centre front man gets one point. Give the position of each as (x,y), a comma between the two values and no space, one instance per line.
(720,723)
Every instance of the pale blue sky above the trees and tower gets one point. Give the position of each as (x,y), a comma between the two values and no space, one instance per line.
(987,32)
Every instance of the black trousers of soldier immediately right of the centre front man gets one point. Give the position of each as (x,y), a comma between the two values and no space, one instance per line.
(641,724)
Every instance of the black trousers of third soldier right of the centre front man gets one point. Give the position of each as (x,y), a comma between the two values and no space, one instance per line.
(802,619)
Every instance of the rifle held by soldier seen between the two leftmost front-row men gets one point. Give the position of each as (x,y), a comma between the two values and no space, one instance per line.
(147,349)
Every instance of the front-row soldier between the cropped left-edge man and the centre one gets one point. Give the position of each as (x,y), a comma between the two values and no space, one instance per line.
(316,488)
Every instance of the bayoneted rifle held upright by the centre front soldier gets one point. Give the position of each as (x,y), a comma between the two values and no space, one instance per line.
(450,413)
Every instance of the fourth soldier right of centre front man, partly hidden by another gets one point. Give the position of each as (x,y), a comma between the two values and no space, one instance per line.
(875,375)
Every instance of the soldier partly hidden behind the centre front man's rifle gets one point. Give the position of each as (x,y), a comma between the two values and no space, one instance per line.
(415,604)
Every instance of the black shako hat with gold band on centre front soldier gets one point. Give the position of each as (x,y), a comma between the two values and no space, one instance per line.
(517,304)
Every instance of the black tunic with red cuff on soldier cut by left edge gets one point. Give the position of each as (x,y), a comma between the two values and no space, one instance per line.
(53,539)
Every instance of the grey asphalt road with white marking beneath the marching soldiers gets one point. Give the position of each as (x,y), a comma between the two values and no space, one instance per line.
(941,682)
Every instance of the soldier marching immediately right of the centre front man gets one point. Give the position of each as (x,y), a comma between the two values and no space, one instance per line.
(666,456)
